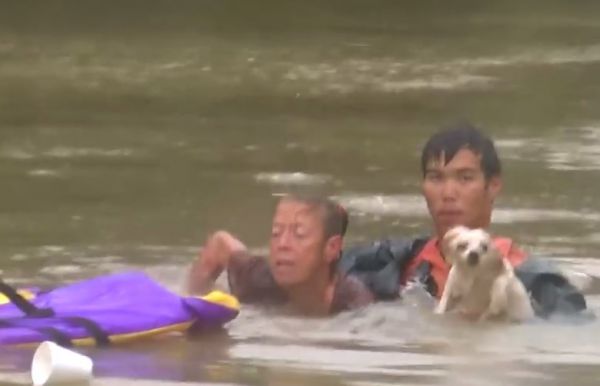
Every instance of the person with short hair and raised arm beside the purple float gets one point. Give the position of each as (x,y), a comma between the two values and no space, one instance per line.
(300,272)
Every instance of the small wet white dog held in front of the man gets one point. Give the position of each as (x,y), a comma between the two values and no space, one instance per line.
(481,283)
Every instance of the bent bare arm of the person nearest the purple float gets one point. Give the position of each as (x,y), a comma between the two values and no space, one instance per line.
(212,260)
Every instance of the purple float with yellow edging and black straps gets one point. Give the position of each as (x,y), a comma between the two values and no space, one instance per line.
(107,309)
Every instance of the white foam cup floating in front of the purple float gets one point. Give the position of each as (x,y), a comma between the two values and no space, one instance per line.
(53,364)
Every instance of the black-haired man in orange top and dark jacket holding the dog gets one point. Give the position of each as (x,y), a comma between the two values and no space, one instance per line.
(461,180)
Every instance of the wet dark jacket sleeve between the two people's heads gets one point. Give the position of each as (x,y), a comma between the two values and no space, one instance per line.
(379,265)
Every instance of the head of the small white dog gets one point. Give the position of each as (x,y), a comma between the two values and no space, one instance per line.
(469,248)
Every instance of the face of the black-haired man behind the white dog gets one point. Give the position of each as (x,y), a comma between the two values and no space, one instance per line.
(457,193)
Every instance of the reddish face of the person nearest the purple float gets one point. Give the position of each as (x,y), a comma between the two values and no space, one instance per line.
(297,247)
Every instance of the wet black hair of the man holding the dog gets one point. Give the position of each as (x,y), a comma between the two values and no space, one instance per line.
(447,142)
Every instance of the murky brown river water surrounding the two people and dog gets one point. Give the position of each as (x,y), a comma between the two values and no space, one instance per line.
(129,131)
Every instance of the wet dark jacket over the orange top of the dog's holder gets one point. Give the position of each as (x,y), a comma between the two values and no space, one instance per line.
(380,265)
